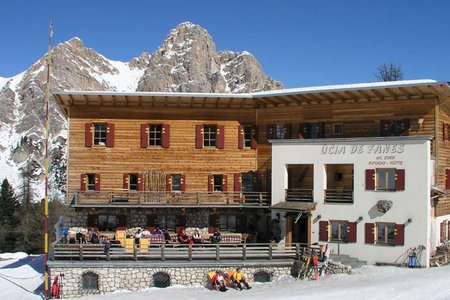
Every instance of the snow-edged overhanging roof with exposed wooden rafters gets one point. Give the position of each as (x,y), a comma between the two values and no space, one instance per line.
(349,93)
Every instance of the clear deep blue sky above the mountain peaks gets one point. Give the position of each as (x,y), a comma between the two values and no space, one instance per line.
(301,43)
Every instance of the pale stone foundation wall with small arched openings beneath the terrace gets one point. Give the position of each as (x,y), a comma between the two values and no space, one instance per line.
(112,278)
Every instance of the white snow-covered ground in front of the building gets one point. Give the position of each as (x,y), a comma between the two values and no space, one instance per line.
(21,278)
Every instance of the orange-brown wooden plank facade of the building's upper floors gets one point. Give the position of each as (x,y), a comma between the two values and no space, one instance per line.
(365,110)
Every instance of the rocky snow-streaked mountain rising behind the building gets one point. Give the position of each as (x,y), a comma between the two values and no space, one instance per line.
(187,61)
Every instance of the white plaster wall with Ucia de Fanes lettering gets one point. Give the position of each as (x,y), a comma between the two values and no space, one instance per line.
(412,155)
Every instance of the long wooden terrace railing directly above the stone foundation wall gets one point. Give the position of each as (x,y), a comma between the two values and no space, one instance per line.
(183,252)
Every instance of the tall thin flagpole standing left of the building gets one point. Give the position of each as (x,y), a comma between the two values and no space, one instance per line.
(47,98)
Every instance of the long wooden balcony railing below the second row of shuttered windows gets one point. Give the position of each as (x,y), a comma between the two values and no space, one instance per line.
(135,198)
